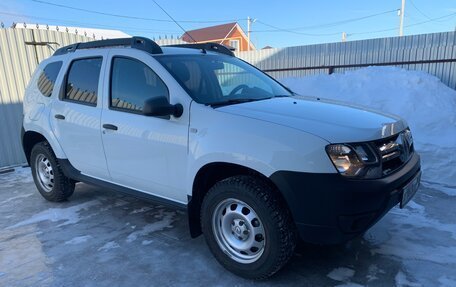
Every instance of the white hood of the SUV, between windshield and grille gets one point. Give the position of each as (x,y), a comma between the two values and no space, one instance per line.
(333,121)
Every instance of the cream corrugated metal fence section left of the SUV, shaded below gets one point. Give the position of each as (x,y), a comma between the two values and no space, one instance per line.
(20,52)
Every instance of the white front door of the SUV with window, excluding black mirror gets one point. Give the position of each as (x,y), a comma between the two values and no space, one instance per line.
(144,153)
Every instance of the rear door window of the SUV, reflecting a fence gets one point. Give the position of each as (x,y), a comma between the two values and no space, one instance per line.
(82,81)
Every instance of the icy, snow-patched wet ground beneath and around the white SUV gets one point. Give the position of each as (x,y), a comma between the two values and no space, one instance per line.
(100,238)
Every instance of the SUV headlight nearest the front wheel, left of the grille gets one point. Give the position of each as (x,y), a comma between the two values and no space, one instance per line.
(355,160)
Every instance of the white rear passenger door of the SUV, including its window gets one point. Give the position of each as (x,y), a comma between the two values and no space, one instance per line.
(75,116)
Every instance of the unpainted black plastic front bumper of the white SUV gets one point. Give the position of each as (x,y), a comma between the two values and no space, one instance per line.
(331,209)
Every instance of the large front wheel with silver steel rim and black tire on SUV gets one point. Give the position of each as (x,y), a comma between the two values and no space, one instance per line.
(248,227)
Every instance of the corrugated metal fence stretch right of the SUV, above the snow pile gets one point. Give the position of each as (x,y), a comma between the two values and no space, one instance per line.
(431,53)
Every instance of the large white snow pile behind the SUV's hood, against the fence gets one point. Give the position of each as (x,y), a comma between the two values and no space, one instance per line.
(428,105)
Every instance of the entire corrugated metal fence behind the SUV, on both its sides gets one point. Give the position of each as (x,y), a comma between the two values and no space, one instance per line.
(22,49)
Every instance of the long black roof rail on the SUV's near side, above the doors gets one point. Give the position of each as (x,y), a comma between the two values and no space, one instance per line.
(140,43)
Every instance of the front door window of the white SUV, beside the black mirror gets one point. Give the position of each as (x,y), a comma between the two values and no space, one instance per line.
(133,82)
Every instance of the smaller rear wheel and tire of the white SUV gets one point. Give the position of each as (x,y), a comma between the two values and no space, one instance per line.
(49,178)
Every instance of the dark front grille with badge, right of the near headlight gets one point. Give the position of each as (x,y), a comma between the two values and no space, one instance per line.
(395,151)
